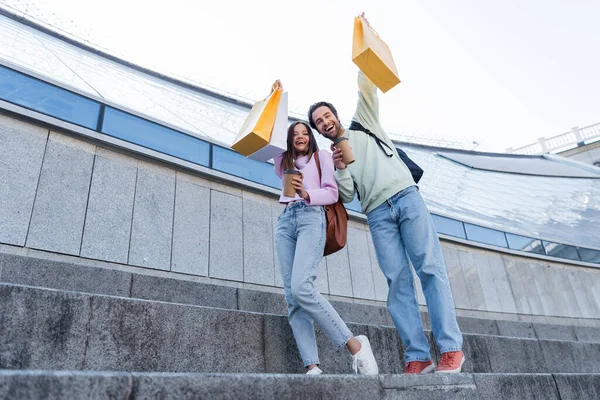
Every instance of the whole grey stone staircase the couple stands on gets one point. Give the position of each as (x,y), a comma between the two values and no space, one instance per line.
(73,331)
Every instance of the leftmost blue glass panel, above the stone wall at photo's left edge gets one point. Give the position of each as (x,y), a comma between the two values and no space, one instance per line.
(48,99)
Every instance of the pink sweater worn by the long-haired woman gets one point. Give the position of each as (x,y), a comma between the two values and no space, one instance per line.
(319,193)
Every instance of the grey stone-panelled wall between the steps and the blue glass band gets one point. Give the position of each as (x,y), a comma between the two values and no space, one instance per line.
(63,194)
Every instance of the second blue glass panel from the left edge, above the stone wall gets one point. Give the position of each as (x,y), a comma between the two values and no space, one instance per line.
(154,136)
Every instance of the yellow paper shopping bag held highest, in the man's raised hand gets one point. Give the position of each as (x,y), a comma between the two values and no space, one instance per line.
(373,56)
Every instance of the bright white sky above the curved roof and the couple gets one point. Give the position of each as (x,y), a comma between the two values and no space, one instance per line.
(503,73)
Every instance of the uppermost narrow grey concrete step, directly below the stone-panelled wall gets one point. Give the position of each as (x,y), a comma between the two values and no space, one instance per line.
(72,276)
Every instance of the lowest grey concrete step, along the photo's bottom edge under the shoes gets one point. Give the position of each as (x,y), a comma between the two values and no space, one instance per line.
(26,385)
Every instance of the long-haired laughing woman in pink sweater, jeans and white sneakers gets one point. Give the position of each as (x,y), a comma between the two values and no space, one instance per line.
(300,241)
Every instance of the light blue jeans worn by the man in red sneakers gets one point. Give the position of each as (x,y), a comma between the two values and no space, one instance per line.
(402,228)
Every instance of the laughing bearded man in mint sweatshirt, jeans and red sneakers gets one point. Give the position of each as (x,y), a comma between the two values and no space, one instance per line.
(401,227)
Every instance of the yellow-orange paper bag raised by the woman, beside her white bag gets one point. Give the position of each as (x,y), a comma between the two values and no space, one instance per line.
(256,130)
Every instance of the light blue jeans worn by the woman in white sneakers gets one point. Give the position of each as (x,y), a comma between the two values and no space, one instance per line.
(299,241)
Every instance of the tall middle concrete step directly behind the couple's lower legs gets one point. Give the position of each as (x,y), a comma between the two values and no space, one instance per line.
(57,329)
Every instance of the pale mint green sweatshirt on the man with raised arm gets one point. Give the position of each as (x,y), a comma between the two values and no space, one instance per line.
(376,175)
